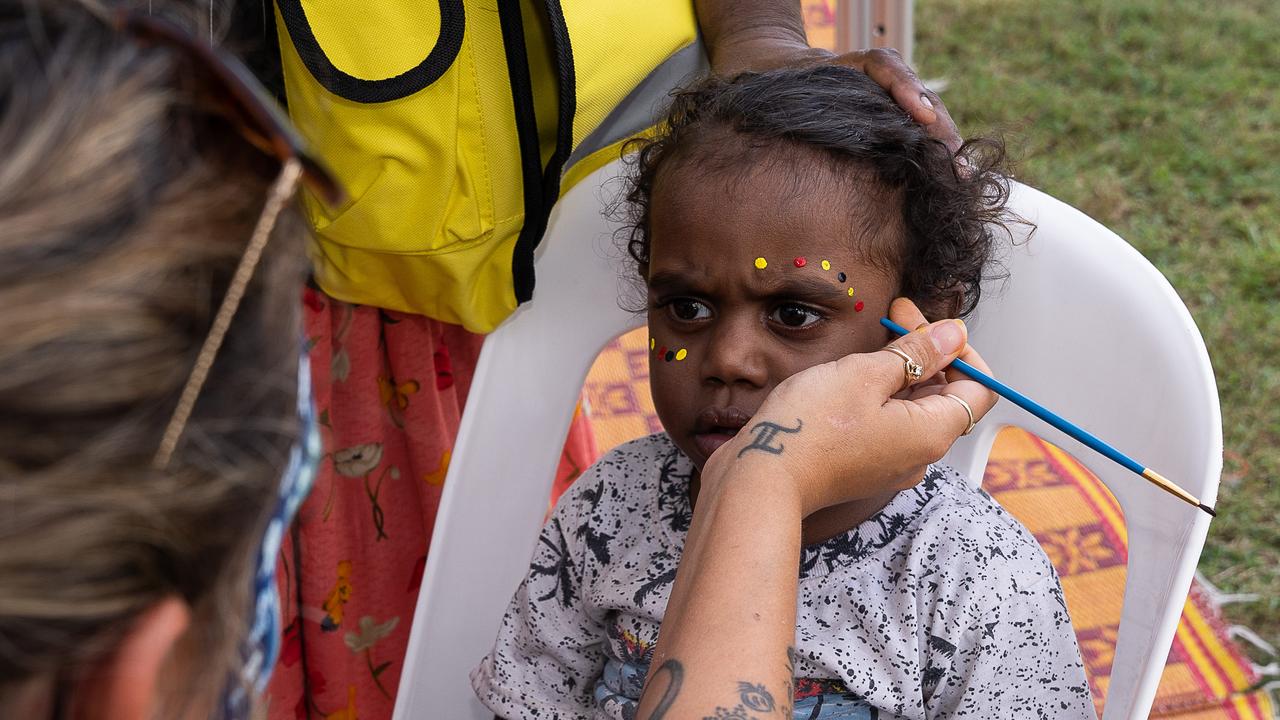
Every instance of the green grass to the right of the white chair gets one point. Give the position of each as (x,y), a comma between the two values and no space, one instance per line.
(1162,120)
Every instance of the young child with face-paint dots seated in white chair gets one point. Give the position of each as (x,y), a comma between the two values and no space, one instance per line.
(776,218)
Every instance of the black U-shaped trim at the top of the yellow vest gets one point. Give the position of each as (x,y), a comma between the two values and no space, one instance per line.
(437,62)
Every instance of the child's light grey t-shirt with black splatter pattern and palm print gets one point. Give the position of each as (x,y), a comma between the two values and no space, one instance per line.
(941,605)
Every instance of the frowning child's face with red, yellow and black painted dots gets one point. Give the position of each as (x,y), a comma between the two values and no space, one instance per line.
(732,330)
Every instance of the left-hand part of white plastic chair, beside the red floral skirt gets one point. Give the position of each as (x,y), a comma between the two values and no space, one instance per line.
(519,409)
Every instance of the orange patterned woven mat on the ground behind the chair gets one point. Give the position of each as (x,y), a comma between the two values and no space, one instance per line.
(1072,514)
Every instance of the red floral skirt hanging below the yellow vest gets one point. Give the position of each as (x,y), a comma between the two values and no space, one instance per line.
(390,390)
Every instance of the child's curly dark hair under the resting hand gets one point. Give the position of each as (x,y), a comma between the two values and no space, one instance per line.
(949,217)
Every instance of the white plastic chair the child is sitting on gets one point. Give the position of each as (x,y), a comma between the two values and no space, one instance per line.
(1086,326)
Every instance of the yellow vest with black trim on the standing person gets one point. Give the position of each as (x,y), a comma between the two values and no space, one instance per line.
(429,115)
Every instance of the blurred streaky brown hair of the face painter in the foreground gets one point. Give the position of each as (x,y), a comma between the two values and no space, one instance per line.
(125,208)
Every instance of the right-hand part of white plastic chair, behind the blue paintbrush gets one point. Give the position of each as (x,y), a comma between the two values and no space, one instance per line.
(1087,327)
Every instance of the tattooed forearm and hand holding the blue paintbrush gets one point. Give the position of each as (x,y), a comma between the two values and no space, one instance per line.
(834,434)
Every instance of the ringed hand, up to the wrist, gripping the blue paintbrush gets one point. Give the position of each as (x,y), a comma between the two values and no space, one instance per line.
(867,441)
